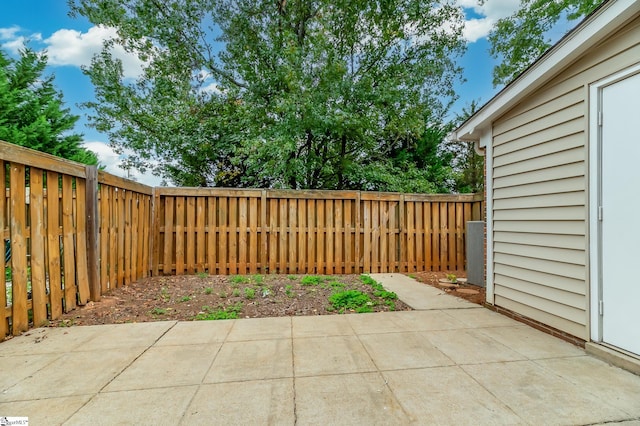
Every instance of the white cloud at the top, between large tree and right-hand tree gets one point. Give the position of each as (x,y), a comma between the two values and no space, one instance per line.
(490,11)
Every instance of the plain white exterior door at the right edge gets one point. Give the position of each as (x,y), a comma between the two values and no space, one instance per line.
(620,214)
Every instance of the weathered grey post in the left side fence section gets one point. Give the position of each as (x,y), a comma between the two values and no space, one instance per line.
(93,255)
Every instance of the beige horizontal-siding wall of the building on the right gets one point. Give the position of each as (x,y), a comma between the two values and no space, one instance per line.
(540,191)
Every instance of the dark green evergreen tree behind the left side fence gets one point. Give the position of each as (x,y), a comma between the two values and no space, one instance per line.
(31,110)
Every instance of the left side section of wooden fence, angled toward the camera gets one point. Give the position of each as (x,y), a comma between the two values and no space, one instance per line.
(49,217)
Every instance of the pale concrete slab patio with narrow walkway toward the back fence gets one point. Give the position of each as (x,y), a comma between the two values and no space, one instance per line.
(448,362)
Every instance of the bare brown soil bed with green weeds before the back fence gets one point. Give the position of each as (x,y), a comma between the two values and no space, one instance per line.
(204,297)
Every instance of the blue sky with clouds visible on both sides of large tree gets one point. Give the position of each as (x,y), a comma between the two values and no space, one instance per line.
(71,42)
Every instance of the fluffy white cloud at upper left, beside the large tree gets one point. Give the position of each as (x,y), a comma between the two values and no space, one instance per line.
(71,47)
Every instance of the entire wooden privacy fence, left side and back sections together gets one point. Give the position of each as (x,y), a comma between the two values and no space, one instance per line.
(72,233)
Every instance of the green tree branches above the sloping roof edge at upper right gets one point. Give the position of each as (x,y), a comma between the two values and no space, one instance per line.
(523,37)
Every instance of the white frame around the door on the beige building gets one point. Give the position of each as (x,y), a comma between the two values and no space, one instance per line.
(595,196)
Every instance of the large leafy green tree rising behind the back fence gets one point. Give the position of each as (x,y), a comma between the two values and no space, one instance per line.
(308,93)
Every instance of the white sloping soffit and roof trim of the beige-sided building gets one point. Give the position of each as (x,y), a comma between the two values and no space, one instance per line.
(605,20)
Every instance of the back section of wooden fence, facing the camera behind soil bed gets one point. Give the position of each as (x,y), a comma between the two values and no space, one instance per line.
(244,231)
